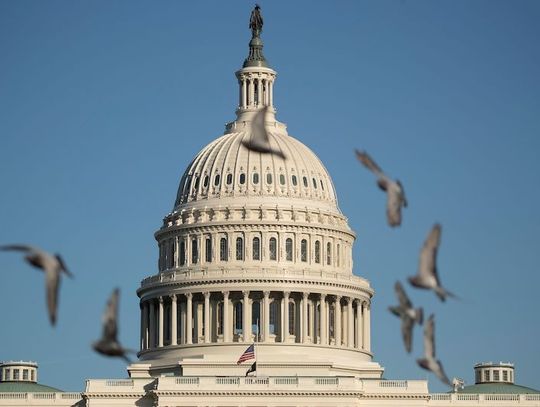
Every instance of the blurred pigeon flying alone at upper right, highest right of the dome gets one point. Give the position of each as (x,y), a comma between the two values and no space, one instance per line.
(395,194)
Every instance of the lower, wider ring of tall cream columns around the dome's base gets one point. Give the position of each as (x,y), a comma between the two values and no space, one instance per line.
(247,316)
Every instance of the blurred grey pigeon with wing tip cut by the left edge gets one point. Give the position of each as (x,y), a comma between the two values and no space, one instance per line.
(52,265)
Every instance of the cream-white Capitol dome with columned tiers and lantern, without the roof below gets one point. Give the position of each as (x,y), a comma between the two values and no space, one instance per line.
(255,251)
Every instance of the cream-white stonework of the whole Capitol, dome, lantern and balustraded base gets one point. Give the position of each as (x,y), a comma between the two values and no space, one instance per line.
(257,250)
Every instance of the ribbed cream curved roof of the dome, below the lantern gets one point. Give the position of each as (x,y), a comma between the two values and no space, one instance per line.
(225,168)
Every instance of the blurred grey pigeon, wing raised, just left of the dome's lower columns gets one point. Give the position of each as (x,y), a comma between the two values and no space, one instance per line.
(108,344)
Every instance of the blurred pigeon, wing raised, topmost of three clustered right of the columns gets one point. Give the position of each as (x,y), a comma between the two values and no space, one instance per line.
(427,277)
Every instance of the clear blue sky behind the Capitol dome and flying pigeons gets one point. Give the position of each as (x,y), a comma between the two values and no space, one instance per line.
(103,104)
